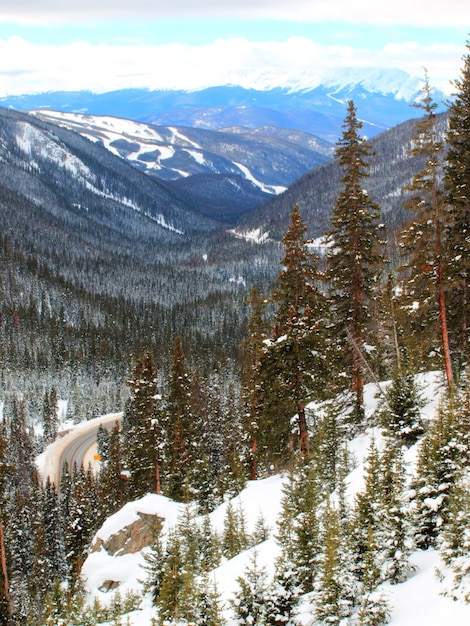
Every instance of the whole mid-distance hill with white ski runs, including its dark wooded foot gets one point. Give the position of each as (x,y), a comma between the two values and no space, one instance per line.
(222,173)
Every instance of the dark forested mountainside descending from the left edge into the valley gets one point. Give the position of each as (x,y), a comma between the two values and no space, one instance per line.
(98,260)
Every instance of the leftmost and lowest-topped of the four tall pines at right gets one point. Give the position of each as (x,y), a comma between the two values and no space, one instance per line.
(293,368)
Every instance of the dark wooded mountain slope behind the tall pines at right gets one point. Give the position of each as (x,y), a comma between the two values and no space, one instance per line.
(392,167)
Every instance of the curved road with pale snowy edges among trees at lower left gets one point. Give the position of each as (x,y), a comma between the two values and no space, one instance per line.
(76,446)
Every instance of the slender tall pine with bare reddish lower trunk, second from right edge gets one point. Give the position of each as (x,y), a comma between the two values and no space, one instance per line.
(425,280)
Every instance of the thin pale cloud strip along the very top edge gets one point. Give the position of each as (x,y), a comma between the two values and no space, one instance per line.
(399,12)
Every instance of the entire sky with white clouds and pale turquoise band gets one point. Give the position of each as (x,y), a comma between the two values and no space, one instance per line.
(102,45)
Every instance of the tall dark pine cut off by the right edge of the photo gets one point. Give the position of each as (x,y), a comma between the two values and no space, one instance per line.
(457,185)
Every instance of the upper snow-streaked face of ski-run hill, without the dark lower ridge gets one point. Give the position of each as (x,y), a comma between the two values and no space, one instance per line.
(270,159)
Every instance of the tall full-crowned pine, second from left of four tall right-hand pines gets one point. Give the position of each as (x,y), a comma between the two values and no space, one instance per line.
(355,262)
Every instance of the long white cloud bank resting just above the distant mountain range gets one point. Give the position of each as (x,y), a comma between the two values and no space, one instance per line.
(298,62)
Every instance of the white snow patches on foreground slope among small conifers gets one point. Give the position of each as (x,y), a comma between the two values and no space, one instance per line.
(419,601)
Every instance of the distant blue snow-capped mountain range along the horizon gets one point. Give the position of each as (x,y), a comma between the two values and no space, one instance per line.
(310,102)
